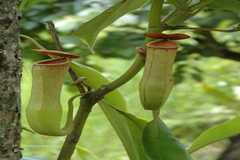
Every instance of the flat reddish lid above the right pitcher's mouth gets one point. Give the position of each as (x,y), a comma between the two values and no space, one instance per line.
(176,36)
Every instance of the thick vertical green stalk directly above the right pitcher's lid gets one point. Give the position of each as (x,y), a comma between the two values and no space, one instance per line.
(155,24)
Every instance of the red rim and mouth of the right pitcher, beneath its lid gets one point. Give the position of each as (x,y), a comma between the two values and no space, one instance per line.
(162,44)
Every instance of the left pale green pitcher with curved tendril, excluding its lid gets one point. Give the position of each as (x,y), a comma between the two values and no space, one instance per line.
(44,111)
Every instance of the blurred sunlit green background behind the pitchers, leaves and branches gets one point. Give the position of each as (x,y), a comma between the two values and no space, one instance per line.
(207,89)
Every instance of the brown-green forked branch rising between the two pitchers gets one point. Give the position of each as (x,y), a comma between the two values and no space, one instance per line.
(90,99)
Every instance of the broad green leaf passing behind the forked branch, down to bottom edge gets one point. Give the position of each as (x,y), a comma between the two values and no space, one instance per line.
(128,127)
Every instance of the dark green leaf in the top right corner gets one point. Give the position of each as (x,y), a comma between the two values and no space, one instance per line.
(226,5)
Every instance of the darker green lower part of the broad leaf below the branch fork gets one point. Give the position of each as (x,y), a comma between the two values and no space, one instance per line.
(129,129)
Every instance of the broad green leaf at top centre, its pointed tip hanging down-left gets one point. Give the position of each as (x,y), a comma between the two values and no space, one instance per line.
(89,30)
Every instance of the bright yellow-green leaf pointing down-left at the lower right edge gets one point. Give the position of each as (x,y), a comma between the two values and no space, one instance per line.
(216,133)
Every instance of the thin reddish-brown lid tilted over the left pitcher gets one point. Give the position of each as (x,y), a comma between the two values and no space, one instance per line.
(56,53)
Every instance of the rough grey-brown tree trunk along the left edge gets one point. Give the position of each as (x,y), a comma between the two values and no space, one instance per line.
(10,74)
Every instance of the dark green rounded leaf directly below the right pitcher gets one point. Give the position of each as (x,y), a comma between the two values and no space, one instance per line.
(160,144)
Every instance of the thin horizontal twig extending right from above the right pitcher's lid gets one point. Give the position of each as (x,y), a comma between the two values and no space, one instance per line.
(206,29)
